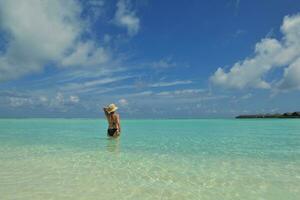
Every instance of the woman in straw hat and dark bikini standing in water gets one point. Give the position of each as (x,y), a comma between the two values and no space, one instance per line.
(113,119)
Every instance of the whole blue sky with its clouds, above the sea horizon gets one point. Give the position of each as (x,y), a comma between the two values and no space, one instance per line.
(154,59)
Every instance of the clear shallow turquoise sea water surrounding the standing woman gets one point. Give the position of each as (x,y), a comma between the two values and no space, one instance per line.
(153,159)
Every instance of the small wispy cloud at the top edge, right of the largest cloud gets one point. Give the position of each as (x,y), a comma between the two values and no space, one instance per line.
(125,17)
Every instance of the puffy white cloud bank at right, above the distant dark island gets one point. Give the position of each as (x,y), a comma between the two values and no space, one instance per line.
(269,54)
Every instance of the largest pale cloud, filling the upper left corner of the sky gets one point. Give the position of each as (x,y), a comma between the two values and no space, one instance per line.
(38,32)
